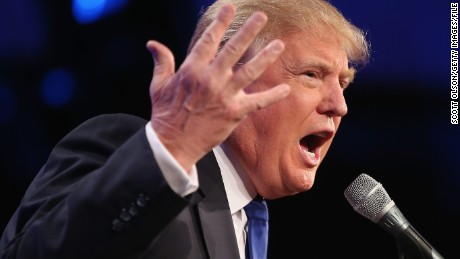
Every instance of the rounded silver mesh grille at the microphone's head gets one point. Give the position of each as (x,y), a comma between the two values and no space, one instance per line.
(367,197)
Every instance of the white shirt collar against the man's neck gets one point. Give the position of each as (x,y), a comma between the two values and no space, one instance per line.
(239,188)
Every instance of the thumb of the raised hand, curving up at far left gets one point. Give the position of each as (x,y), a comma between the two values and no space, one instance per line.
(163,59)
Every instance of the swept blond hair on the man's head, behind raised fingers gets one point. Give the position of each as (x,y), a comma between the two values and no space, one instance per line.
(318,17)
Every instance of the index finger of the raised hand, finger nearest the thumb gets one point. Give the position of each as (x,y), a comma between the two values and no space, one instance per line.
(206,47)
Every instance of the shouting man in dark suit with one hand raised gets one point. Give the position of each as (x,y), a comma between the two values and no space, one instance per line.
(251,112)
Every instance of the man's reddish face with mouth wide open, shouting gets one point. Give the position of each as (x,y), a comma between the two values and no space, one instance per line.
(281,147)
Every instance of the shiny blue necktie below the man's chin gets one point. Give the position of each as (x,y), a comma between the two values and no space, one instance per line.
(257,241)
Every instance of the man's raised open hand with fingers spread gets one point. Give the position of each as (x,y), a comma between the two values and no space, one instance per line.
(197,107)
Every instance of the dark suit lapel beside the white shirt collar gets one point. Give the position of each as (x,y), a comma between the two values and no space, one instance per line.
(214,212)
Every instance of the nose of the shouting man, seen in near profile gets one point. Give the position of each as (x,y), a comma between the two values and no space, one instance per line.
(333,103)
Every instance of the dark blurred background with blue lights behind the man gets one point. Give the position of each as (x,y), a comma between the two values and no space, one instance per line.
(62,62)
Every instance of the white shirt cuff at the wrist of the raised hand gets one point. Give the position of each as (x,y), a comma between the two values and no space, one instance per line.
(178,179)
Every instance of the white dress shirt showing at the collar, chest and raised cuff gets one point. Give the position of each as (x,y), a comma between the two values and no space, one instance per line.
(240,190)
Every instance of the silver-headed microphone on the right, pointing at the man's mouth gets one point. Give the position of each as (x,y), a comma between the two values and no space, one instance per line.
(369,198)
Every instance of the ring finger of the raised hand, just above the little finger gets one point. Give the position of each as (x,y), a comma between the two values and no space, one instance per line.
(257,65)
